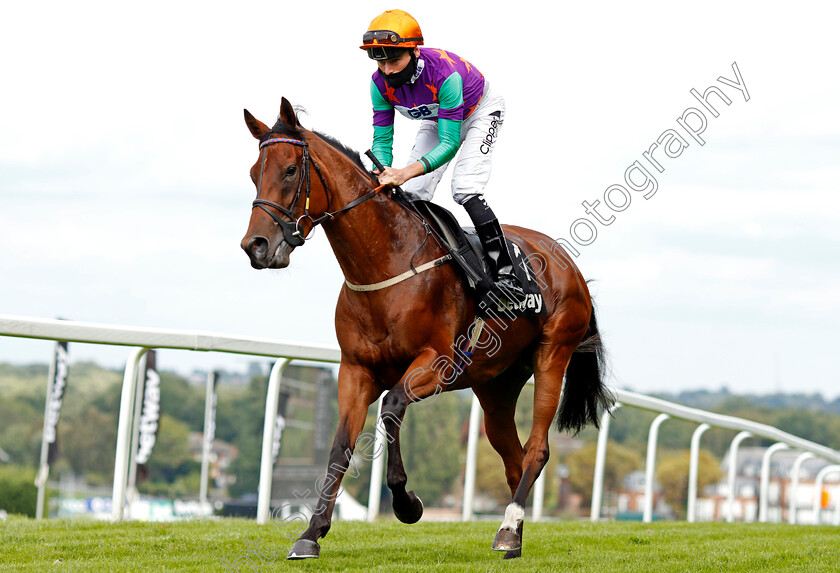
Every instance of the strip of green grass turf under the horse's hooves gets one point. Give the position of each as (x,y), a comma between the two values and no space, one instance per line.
(60,545)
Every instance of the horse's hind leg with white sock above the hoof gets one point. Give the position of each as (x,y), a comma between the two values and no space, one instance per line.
(549,364)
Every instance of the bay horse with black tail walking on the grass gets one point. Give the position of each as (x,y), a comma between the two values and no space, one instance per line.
(403,338)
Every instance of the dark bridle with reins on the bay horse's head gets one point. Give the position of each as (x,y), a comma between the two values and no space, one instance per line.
(292,229)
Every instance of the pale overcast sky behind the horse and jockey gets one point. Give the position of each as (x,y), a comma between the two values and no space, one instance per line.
(124,187)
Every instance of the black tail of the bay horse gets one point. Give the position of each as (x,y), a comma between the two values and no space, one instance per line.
(585,395)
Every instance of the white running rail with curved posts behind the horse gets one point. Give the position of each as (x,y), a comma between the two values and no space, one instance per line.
(142,339)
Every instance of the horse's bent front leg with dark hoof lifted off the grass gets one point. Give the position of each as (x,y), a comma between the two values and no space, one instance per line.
(419,382)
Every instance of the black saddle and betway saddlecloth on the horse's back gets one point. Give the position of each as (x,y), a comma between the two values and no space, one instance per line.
(466,250)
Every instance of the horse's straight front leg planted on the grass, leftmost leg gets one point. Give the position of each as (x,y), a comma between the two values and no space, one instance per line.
(356,391)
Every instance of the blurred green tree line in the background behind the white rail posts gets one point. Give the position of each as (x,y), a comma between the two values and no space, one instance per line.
(433,437)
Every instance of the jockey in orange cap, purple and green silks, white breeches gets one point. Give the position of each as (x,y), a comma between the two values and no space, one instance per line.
(458,109)
